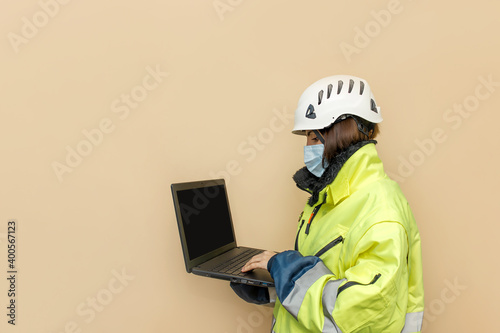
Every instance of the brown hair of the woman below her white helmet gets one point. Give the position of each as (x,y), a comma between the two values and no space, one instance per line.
(341,135)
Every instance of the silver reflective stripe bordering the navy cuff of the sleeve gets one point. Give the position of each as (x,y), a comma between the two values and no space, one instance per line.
(294,300)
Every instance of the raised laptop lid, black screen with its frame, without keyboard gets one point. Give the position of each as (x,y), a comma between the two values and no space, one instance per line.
(204,220)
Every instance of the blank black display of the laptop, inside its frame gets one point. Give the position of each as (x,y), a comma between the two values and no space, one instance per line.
(206,219)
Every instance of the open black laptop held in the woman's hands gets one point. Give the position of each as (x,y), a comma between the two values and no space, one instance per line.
(207,234)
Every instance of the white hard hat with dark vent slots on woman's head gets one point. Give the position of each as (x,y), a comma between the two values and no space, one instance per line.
(332,99)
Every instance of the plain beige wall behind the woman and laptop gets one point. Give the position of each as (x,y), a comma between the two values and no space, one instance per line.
(98,247)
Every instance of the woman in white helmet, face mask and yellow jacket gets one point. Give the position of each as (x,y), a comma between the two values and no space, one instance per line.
(356,266)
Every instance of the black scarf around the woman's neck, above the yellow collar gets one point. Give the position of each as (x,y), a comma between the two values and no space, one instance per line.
(308,182)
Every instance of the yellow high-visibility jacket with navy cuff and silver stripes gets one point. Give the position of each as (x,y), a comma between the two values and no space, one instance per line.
(357,266)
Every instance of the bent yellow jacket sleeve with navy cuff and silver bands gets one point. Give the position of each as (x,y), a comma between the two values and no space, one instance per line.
(366,300)
